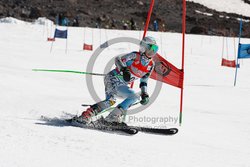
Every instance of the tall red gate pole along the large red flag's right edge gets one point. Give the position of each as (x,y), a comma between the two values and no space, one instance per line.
(183,53)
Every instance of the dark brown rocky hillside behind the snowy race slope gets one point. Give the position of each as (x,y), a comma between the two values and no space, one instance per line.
(115,13)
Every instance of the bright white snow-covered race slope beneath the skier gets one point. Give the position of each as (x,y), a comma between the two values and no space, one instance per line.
(215,130)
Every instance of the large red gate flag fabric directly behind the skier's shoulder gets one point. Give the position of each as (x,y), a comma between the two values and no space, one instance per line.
(166,72)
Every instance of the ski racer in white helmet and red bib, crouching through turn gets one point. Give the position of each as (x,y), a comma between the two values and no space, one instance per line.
(129,67)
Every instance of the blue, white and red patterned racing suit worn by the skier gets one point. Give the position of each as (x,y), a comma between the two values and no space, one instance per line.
(115,86)
